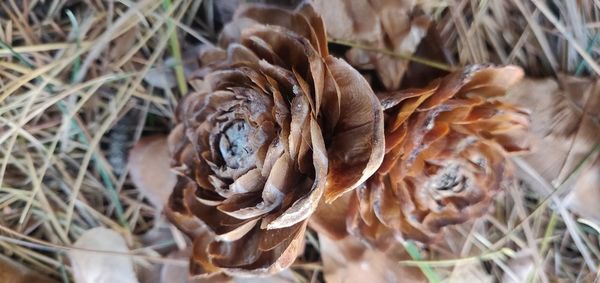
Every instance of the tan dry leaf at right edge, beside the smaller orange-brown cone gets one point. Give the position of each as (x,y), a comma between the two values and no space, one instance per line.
(566,123)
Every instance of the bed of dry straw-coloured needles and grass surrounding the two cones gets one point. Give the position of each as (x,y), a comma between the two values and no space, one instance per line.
(82,81)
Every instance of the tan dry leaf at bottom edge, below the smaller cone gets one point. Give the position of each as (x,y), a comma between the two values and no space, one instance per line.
(349,261)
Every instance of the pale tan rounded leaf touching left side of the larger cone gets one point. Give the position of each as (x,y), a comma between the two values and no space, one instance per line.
(149,168)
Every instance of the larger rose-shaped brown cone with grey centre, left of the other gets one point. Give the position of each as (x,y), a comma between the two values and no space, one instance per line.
(274,124)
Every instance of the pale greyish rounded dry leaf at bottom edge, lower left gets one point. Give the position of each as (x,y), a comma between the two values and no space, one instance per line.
(90,267)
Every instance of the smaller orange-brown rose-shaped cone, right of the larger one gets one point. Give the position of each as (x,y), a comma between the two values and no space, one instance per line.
(446,156)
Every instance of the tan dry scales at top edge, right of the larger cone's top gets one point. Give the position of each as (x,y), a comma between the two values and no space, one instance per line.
(385,24)
